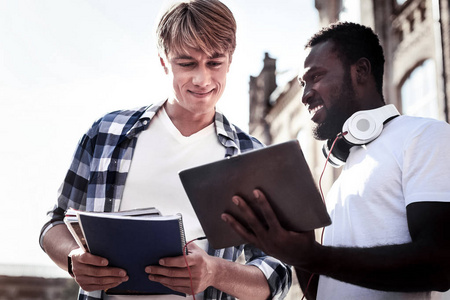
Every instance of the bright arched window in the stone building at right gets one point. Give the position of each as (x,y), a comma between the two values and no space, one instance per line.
(419,91)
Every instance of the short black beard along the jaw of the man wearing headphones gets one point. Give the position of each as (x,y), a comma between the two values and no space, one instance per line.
(344,105)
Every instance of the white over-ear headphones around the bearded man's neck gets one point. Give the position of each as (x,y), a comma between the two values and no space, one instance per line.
(360,129)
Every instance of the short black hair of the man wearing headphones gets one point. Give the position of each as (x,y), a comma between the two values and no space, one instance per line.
(354,41)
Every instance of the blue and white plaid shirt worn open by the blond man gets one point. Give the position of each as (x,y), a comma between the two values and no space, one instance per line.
(95,182)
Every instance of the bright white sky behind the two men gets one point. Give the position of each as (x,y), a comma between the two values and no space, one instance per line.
(64,63)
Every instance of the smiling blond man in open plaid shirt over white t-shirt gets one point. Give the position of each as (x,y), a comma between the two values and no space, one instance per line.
(131,158)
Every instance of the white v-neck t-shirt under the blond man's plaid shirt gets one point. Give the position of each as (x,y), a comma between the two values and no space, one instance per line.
(161,152)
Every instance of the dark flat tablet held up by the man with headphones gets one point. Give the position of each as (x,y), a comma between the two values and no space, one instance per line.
(280,171)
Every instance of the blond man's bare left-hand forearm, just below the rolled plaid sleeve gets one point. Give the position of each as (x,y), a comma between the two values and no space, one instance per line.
(57,243)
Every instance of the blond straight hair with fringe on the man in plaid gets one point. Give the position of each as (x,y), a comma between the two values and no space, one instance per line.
(206,25)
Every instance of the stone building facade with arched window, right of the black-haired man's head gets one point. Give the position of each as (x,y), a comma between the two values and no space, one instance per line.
(417,50)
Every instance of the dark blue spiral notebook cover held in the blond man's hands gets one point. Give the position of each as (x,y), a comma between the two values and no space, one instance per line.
(132,243)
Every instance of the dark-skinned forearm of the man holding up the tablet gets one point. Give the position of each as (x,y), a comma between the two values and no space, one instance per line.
(401,268)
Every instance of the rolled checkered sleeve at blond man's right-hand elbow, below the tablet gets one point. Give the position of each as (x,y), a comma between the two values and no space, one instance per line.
(278,274)
